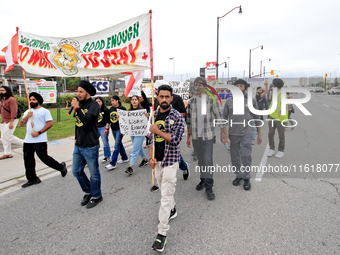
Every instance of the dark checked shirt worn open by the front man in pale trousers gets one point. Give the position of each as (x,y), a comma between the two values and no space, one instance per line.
(174,124)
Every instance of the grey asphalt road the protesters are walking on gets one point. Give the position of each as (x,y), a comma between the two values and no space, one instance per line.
(283,213)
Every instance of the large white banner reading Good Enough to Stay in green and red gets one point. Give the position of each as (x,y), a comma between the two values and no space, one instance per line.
(121,48)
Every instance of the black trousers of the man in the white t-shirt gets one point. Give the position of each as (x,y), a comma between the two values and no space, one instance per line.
(29,160)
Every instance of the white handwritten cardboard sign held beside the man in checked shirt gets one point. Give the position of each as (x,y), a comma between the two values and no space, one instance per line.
(133,123)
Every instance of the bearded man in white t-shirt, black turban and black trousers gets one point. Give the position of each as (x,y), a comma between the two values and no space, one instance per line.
(36,141)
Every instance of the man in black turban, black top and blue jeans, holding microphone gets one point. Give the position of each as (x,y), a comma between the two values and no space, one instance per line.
(86,149)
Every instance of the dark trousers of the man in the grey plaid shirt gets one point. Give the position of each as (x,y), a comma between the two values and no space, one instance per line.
(204,151)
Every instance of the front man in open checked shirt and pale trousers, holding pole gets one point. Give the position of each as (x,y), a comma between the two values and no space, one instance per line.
(167,132)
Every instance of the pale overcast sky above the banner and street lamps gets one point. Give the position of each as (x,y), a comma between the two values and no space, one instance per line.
(301,37)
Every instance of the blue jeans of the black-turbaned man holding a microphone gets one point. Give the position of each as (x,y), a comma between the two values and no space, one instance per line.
(89,156)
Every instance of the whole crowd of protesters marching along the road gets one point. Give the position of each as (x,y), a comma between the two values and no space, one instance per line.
(171,119)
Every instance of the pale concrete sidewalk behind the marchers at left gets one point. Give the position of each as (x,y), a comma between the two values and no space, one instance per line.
(12,171)
